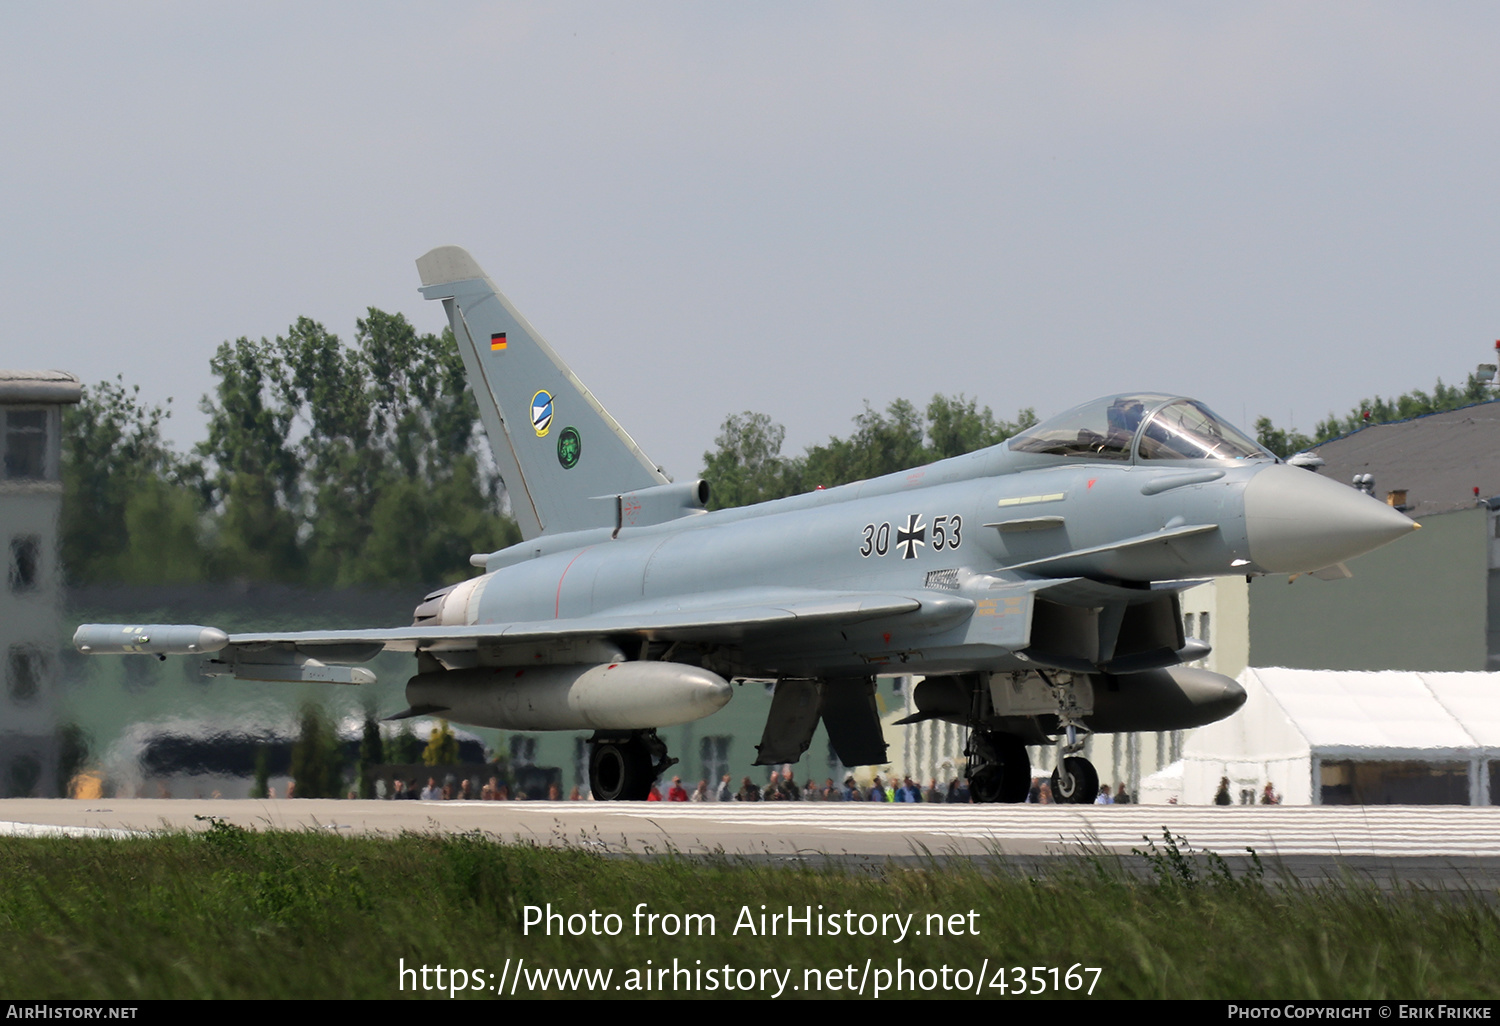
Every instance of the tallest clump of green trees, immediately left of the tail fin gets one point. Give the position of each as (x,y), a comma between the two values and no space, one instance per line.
(326,452)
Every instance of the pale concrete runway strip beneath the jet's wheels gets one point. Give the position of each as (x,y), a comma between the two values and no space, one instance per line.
(1396,842)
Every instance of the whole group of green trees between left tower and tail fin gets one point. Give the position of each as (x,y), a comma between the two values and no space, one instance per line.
(326,466)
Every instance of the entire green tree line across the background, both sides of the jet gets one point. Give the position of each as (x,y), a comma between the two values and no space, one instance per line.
(331,464)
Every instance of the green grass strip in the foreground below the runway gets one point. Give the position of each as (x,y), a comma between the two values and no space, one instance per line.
(238,914)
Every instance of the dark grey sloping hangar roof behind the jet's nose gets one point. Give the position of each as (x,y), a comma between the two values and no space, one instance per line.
(1439,460)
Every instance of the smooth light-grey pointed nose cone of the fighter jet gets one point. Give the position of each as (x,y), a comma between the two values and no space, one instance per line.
(1297,521)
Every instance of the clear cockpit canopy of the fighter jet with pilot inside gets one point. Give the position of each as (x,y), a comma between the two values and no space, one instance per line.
(1144,425)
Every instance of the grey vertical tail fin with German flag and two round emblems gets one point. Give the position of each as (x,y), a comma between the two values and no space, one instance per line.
(557,449)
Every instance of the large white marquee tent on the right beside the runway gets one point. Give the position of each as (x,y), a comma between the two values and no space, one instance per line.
(1339,737)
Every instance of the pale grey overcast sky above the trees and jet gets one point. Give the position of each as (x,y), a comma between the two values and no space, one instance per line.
(791,209)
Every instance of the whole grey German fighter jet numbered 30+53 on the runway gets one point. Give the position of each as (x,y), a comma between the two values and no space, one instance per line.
(1031,586)
